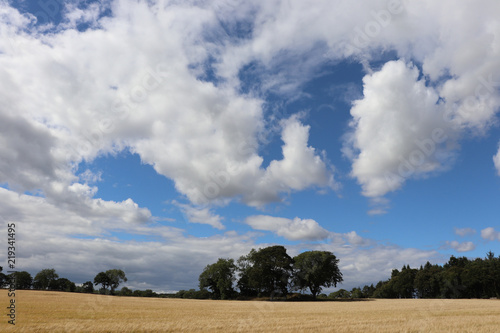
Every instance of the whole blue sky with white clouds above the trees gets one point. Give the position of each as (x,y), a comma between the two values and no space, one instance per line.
(157,136)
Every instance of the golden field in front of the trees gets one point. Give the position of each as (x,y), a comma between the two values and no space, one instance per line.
(39,311)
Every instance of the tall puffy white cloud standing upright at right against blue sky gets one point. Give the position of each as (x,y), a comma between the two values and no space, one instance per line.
(398,130)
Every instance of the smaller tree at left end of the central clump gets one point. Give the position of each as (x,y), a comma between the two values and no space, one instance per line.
(219,278)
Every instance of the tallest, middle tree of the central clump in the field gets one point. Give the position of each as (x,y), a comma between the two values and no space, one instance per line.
(266,271)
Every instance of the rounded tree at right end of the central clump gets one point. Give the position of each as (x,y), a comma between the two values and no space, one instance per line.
(316,269)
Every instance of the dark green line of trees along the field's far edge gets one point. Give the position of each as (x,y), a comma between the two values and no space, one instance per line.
(271,272)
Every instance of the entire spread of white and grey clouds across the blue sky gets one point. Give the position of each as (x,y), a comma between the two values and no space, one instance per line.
(162,79)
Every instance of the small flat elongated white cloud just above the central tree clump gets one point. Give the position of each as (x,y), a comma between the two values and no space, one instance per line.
(292,229)
